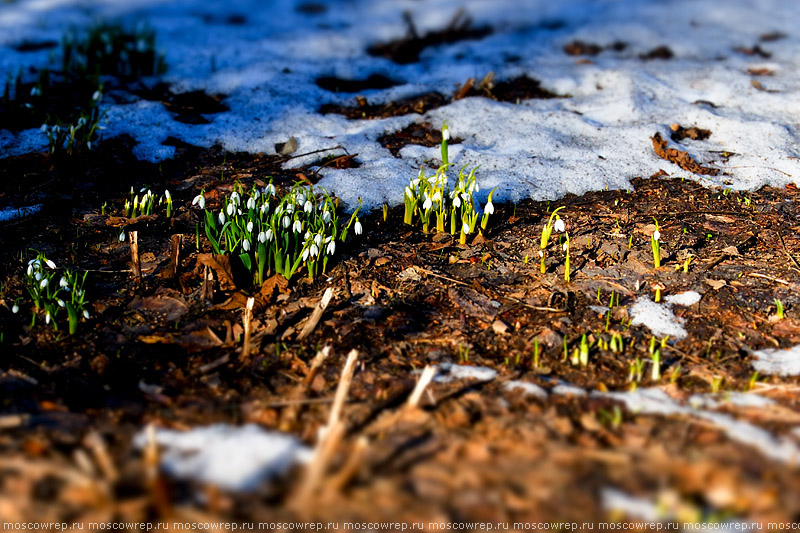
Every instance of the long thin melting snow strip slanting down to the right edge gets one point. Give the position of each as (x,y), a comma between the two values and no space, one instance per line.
(656,401)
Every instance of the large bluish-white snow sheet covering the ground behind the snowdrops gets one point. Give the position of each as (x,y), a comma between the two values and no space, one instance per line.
(597,138)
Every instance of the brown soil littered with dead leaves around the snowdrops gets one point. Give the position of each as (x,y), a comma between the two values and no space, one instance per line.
(155,352)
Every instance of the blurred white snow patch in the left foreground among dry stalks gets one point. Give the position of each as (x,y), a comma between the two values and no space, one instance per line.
(233,458)
